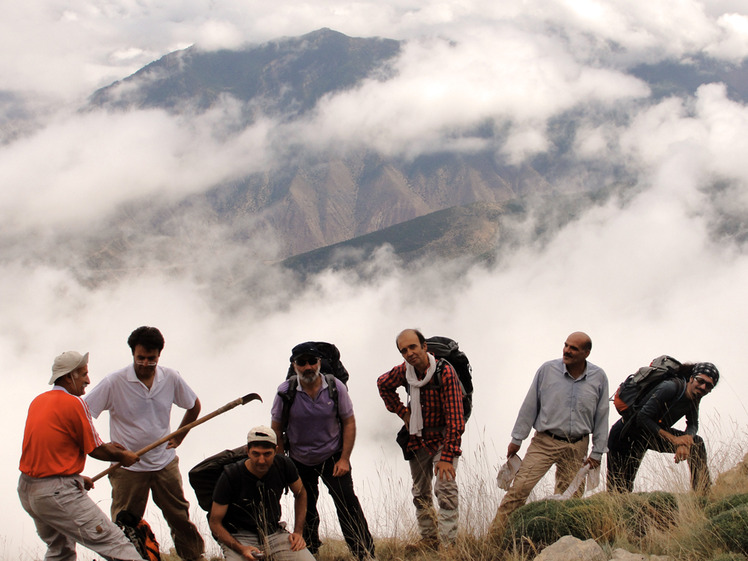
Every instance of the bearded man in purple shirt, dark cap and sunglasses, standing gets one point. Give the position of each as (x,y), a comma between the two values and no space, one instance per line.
(320,429)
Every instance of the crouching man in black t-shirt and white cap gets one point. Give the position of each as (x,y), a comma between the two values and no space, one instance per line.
(246,511)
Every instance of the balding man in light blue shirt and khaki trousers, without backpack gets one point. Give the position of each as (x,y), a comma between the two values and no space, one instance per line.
(567,401)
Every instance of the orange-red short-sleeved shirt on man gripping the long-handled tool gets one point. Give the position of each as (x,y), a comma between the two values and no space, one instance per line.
(59,434)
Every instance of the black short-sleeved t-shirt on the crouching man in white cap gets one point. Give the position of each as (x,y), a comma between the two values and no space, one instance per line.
(254,503)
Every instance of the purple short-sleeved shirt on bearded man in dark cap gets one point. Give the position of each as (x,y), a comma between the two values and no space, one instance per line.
(314,431)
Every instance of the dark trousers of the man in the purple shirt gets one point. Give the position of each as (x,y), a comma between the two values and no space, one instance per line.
(350,515)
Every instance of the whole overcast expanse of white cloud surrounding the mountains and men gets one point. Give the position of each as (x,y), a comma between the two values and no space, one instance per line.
(652,272)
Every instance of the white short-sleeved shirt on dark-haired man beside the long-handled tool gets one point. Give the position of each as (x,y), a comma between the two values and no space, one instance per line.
(139,416)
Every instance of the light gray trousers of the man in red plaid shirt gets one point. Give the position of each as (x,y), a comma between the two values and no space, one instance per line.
(430,525)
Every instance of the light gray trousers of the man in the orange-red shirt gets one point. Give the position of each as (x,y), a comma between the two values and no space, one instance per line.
(64,514)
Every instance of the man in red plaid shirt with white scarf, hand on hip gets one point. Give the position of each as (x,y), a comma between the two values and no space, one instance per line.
(435,422)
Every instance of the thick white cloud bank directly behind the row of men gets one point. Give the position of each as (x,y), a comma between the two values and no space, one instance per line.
(642,280)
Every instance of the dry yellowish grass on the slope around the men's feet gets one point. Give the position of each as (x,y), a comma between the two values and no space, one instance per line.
(677,523)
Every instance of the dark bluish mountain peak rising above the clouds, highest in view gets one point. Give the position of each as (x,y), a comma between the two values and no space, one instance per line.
(285,77)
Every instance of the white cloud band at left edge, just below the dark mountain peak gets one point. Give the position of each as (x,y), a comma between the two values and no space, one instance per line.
(82,167)
